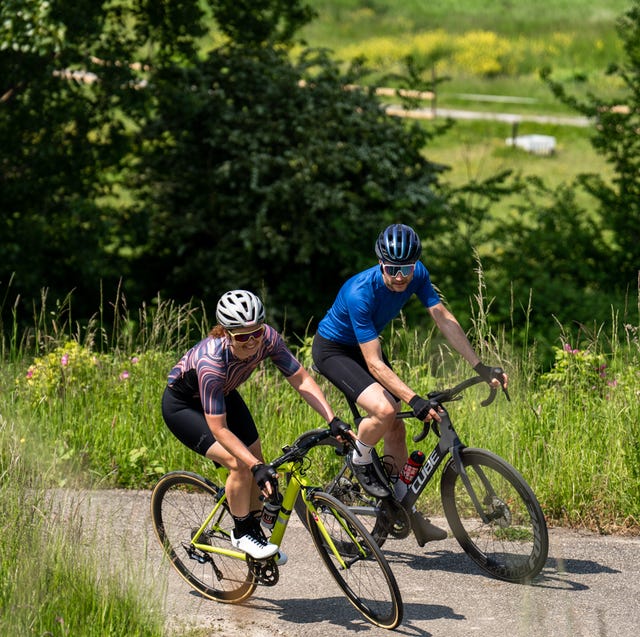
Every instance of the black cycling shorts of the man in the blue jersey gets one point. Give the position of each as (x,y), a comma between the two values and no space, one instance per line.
(344,366)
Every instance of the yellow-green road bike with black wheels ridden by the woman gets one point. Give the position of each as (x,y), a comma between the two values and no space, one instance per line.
(192,520)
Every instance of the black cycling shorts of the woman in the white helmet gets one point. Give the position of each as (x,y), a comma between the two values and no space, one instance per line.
(185,418)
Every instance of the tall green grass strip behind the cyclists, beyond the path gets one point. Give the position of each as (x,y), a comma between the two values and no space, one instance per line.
(572,431)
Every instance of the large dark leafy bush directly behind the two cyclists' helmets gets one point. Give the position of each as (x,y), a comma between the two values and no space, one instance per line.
(262,172)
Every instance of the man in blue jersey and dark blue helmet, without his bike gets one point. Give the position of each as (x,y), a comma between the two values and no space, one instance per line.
(347,350)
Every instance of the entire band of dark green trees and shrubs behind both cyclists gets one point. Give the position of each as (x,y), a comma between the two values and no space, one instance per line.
(179,147)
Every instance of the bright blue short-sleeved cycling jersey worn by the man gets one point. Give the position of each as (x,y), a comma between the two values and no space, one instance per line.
(365,305)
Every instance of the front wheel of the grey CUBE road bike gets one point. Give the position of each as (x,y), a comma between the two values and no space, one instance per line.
(513,544)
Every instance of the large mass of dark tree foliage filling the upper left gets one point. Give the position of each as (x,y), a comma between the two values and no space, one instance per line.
(185,171)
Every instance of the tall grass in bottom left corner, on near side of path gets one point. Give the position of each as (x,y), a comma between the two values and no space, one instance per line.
(50,582)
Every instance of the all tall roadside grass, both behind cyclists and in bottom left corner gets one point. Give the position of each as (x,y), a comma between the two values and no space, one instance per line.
(82,410)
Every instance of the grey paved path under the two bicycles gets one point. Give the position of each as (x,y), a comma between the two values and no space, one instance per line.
(590,586)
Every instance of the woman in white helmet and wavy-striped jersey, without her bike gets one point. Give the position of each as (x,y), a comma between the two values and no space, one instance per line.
(202,407)
